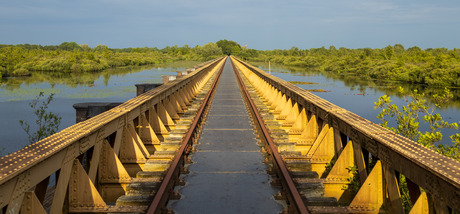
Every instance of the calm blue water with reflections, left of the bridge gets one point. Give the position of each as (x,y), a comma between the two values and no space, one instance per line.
(115,85)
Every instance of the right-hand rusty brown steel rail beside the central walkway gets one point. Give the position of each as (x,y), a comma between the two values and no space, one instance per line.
(286,177)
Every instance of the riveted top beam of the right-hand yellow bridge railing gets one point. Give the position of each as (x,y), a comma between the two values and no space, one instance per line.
(437,174)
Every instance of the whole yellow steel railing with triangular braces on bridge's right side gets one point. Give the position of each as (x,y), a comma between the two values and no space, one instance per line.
(345,142)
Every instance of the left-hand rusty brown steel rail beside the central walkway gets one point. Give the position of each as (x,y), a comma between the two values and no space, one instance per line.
(161,197)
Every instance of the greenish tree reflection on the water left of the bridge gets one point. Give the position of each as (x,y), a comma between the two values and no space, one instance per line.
(77,79)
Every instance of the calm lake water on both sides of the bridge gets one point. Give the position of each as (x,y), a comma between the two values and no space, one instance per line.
(117,85)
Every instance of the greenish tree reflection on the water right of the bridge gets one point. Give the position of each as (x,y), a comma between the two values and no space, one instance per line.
(363,84)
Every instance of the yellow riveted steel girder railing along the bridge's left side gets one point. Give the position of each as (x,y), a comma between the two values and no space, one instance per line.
(93,161)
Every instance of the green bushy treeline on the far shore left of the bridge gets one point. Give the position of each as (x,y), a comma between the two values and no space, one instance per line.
(20,60)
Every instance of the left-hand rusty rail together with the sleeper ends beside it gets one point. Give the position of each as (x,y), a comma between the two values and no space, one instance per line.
(154,185)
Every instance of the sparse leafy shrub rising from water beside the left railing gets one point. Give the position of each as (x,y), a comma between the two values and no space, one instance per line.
(47,122)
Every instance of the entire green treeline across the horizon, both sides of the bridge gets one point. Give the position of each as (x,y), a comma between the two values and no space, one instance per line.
(433,67)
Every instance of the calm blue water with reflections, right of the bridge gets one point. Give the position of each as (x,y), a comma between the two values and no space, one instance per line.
(358,96)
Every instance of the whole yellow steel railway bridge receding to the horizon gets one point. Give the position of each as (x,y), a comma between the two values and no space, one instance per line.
(318,157)
